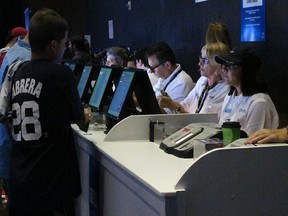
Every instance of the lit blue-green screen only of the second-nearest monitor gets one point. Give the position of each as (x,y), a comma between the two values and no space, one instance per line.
(100,87)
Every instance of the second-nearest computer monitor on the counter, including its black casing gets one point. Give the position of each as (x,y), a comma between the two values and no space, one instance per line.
(103,90)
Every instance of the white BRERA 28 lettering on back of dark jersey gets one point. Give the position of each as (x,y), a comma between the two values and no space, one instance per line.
(25,117)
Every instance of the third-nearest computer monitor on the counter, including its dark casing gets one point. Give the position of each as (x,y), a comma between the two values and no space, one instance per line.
(85,83)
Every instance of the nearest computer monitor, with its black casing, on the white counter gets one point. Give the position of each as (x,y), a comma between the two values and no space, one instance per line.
(123,103)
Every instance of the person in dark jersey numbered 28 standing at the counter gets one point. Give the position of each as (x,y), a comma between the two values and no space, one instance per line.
(44,174)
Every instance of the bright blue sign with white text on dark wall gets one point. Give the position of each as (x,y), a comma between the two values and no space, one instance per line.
(253,20)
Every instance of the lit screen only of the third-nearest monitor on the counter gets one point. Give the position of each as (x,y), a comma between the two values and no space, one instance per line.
(85,81)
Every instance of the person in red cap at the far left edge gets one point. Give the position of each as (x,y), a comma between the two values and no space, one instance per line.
(11,40)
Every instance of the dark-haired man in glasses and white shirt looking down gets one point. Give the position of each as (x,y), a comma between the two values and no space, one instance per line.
(173,81)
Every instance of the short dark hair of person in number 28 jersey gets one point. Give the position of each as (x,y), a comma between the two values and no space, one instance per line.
(46,25)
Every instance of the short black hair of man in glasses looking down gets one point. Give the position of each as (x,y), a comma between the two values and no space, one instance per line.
(163,52)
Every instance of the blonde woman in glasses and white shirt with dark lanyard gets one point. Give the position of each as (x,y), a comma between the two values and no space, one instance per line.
(209,92)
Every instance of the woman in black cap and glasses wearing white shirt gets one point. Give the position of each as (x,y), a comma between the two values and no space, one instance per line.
(247,102)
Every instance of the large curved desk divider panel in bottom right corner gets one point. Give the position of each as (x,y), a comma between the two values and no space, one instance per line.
(247,180)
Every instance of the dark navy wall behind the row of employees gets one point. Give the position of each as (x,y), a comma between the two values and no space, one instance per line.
(182,24)
